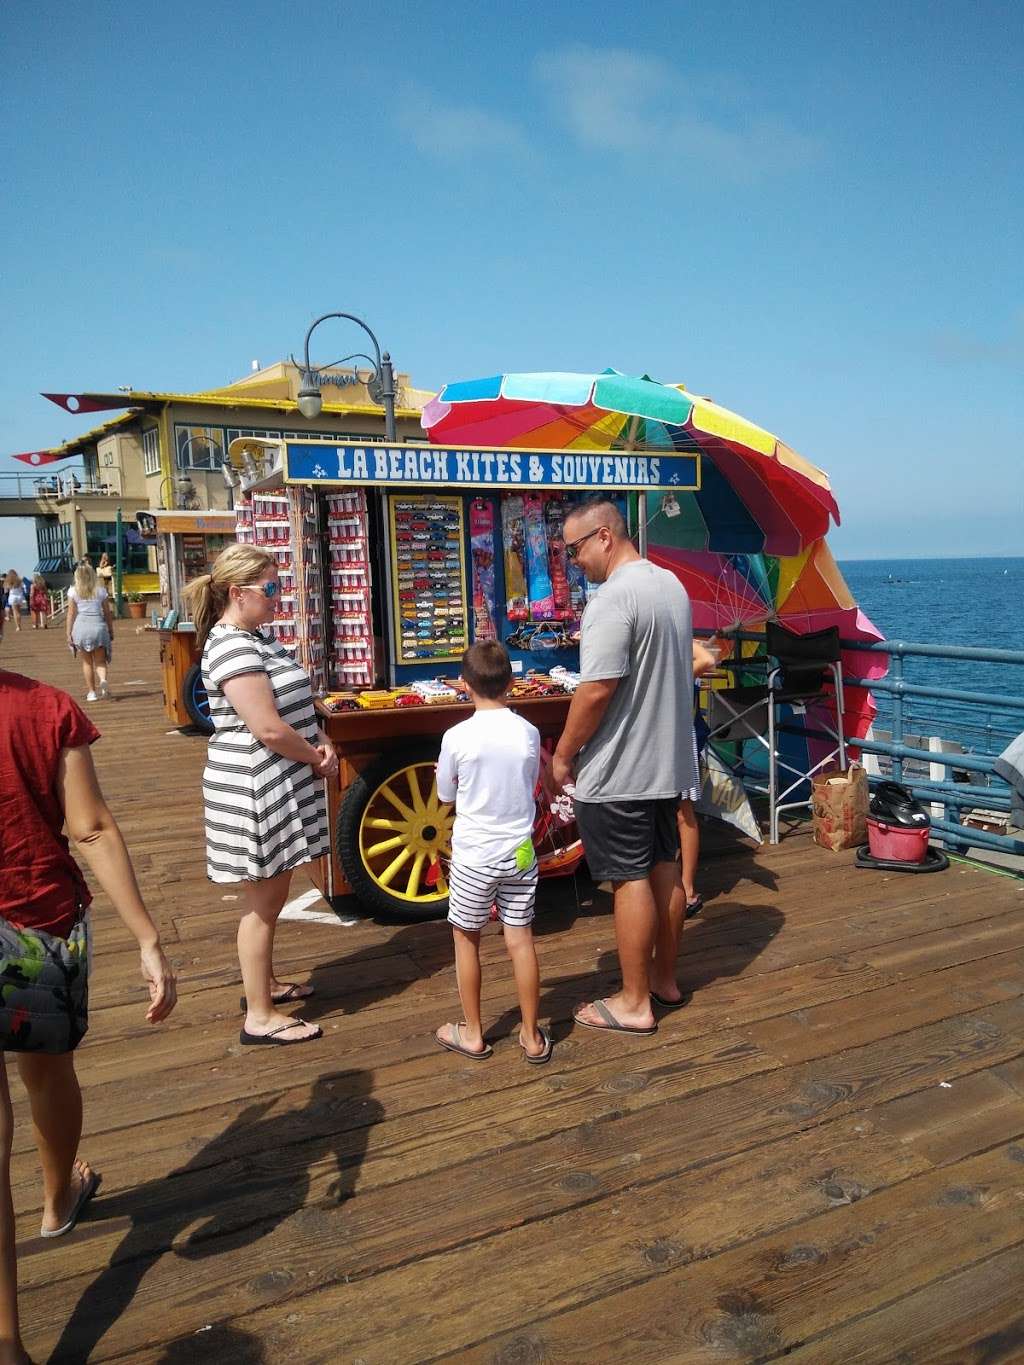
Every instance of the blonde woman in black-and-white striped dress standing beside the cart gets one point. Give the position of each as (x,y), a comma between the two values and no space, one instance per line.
(264,781)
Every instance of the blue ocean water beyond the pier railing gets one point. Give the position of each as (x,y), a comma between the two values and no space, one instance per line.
(966,603)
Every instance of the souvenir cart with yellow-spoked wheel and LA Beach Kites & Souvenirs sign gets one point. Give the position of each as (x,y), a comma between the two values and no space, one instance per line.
(393,562)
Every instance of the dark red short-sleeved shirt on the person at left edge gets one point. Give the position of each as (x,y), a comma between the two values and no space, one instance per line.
(42,887)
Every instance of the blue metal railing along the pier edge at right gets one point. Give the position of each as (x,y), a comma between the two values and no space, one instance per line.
(978,725)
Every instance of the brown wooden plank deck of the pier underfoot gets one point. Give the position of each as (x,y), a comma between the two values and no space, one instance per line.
(821,1158)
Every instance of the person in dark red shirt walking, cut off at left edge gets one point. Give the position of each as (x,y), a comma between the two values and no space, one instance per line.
(48,783)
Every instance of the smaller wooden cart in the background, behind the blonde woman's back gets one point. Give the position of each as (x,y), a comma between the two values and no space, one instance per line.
(186,545)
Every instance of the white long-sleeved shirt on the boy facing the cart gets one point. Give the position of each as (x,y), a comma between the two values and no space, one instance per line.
(489,768)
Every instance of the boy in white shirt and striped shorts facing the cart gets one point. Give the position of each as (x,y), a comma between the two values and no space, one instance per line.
(489,766)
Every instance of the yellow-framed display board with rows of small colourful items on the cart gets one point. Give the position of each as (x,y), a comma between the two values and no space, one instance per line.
(429,577)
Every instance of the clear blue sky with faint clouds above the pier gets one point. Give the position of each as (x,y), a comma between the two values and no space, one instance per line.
(810,212)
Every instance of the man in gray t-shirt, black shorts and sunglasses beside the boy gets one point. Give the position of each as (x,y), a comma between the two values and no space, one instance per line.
(630,736)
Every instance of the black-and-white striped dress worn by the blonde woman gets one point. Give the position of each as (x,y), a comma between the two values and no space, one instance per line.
(264,813)
